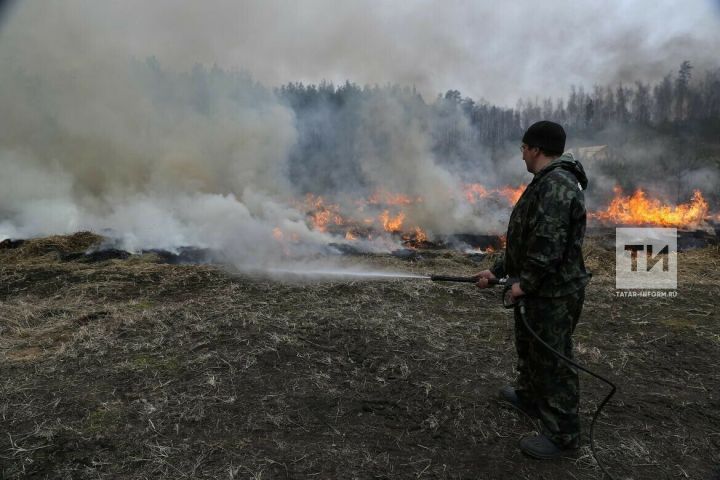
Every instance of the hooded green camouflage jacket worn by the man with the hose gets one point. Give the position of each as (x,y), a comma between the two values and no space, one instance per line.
(546,230)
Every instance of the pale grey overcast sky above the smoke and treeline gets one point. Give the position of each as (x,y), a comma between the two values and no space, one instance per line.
(497,50)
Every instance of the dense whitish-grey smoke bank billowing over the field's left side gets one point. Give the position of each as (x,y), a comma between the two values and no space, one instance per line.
(157,162)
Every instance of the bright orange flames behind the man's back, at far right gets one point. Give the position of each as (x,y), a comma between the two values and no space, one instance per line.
(638,209)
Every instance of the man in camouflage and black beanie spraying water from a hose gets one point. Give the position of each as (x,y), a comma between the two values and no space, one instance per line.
(544,252)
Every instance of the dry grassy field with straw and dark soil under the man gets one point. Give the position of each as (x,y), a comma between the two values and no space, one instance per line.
(130,368)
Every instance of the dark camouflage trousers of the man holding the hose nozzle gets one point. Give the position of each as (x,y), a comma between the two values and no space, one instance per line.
(545,380)
